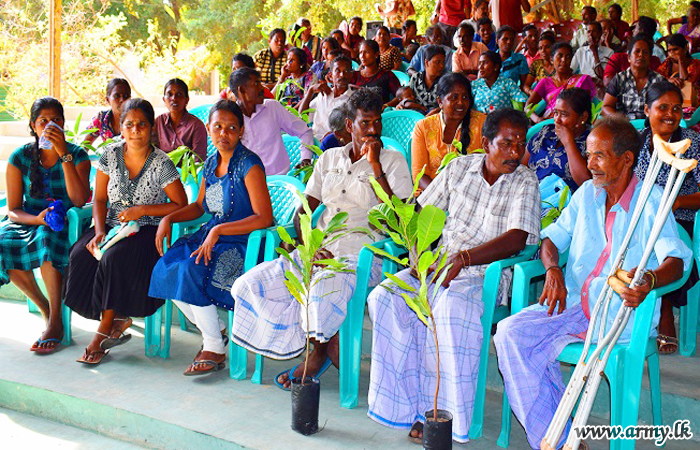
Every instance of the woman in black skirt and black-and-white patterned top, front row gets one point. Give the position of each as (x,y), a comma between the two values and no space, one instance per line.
(140,183)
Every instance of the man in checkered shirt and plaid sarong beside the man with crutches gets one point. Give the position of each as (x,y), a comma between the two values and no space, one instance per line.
(493,204)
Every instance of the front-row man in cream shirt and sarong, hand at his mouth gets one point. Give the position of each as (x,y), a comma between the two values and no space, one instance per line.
(268,319)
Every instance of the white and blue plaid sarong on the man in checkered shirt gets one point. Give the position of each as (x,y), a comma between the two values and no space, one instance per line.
(403,371)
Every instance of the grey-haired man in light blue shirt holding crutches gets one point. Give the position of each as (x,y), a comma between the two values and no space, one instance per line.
(592,228)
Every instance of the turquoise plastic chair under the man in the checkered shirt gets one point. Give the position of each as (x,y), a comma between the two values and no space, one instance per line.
(351,330)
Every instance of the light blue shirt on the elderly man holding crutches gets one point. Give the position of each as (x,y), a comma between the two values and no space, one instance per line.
(581,229)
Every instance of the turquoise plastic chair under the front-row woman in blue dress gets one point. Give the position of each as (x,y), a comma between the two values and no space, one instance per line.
(282,194)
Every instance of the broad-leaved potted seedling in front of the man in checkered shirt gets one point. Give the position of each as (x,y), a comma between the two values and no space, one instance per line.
(417,231)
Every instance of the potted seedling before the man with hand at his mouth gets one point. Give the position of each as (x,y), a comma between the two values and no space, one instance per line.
(299,281)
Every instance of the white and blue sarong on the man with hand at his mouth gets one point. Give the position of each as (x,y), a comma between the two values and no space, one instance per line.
(269,321)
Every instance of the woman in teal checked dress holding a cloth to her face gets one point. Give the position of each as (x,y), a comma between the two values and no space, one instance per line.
(36,177)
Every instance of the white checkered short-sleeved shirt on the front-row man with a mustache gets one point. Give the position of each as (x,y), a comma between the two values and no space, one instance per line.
(479,212)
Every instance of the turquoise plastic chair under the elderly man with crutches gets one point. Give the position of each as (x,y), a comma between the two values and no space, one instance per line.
(626,364)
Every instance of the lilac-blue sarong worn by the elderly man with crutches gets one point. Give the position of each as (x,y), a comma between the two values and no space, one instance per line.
(528,345)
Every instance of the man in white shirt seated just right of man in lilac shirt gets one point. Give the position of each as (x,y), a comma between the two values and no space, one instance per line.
(328,97)
